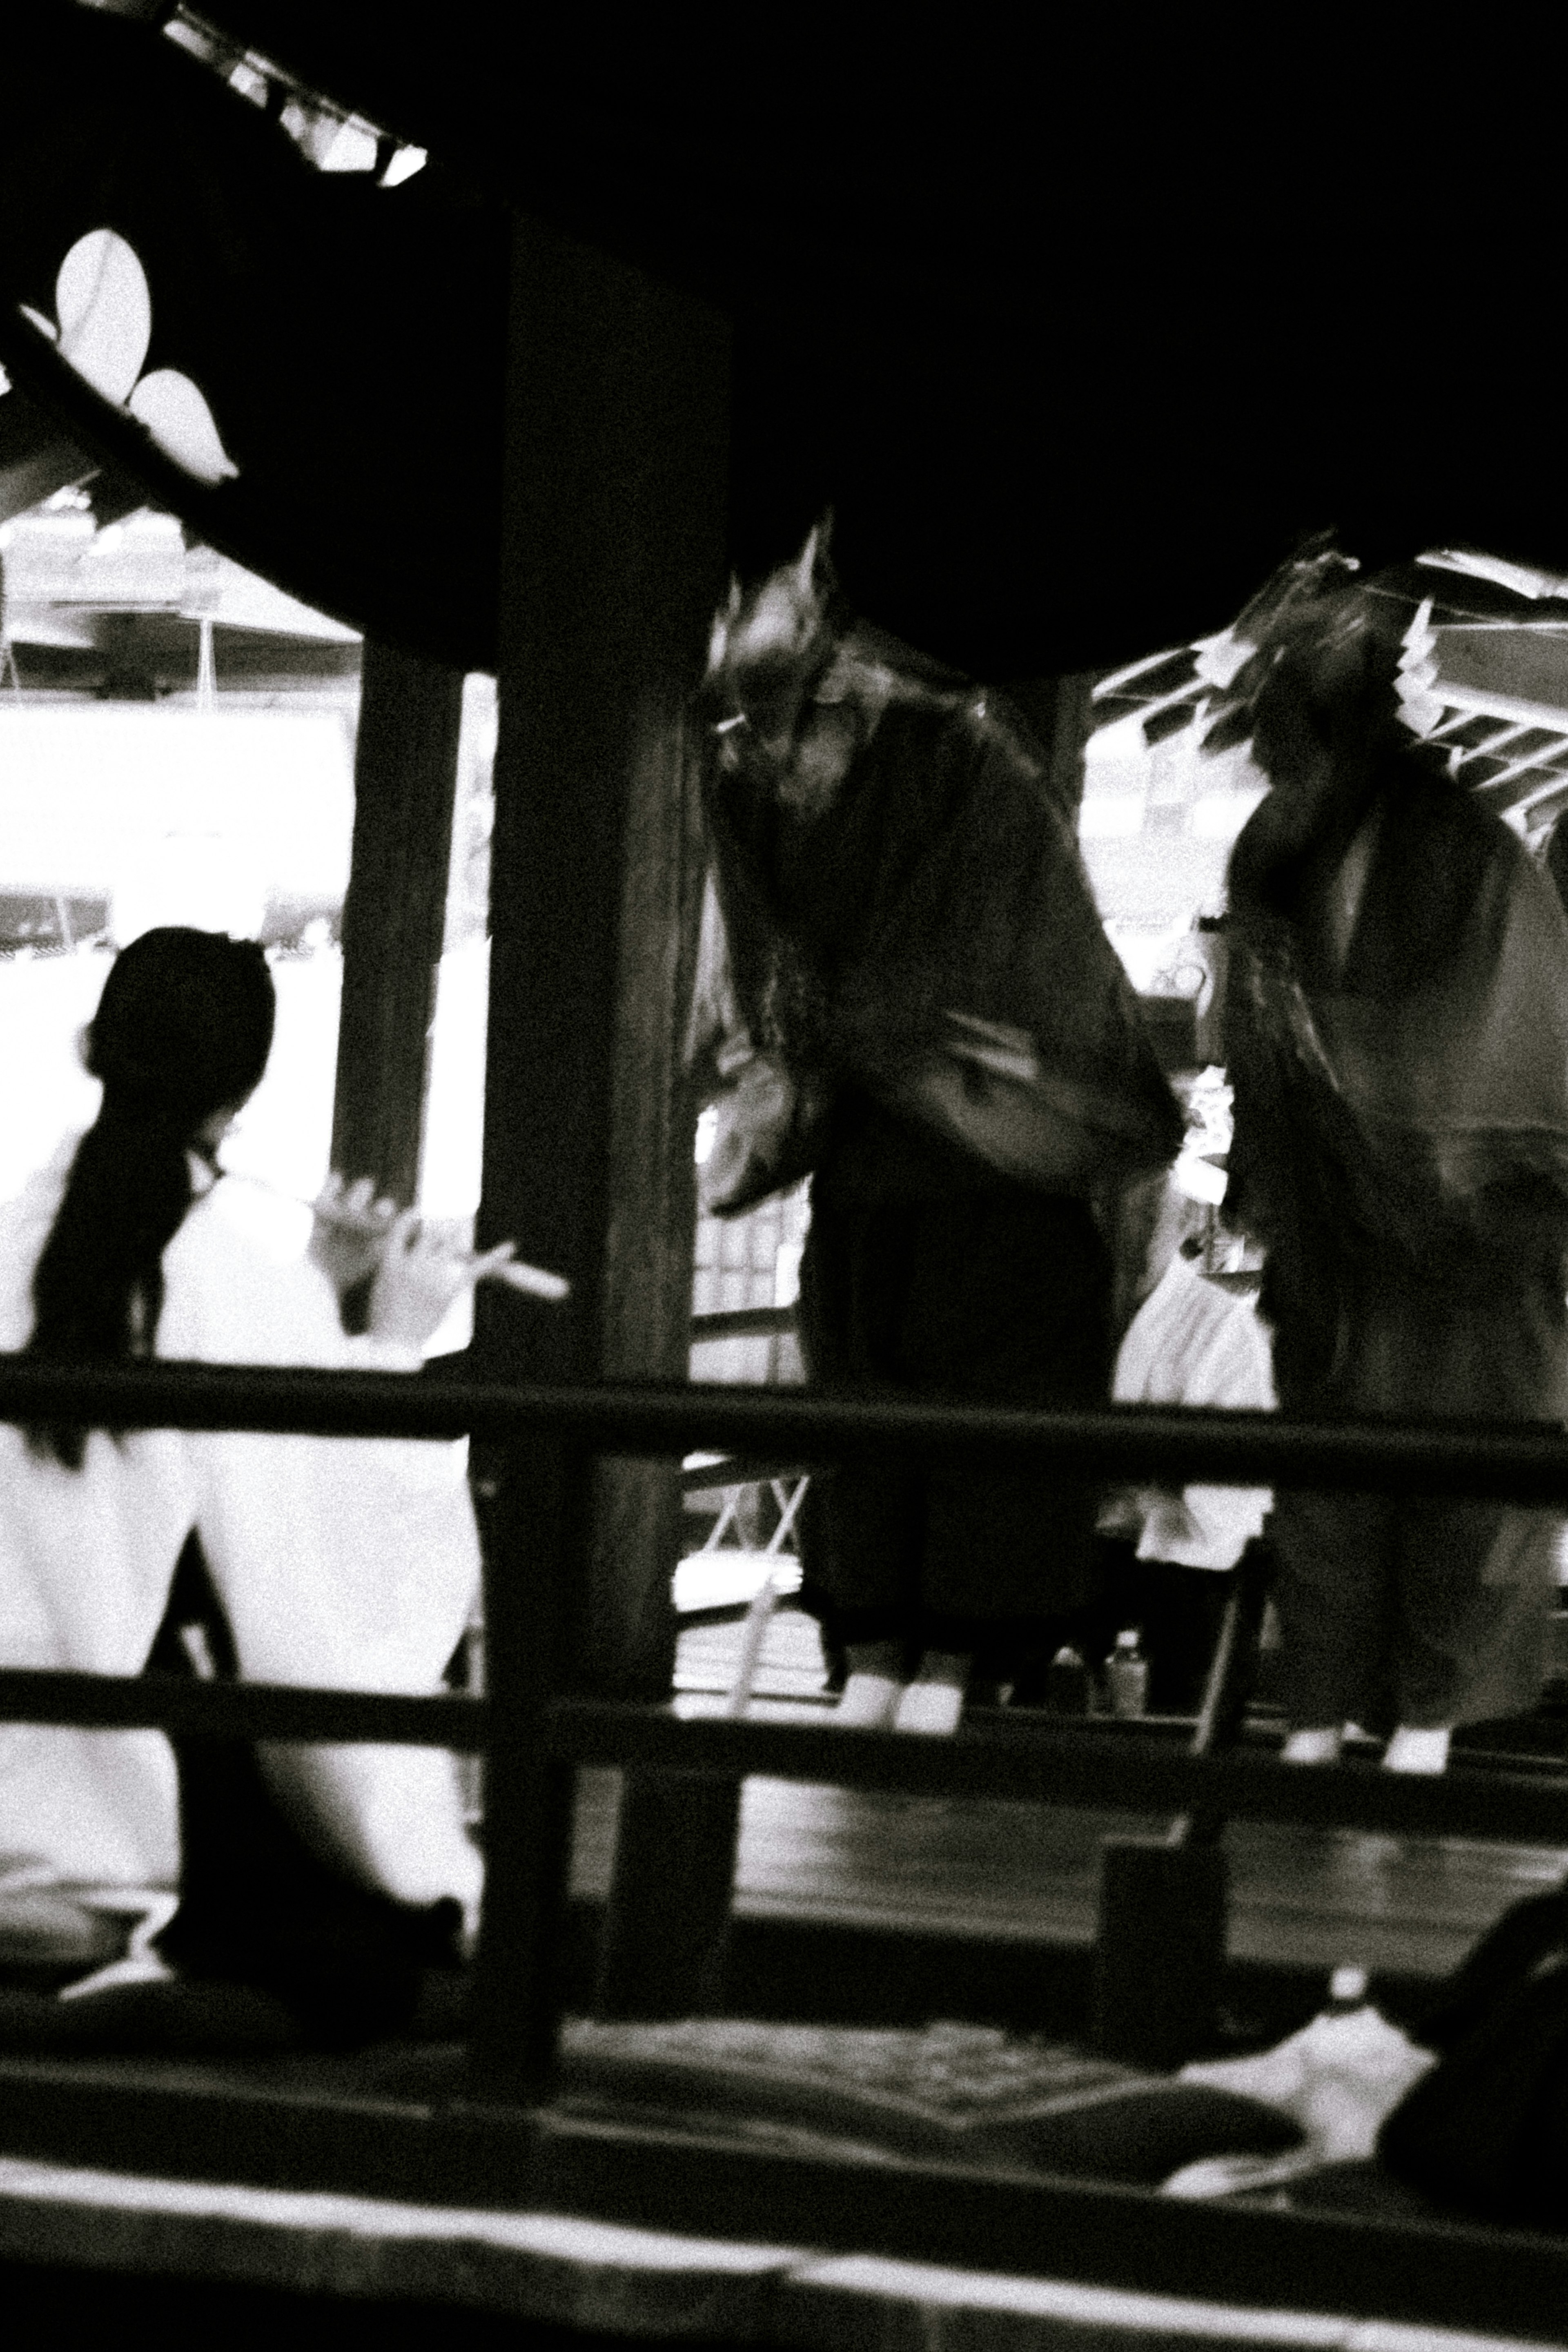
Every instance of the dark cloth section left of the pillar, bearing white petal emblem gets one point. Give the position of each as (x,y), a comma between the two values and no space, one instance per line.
(349,340)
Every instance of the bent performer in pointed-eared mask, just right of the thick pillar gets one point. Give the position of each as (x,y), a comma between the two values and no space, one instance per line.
(906,991)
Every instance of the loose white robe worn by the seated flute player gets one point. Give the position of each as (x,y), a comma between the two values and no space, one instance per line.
(340,1563)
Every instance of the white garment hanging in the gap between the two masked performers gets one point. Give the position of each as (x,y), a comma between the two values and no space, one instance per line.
(1193,1344)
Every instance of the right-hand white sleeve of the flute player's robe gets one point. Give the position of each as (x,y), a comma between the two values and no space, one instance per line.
(340,1563)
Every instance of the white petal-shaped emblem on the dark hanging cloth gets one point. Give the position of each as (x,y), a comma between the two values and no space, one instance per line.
(105,333)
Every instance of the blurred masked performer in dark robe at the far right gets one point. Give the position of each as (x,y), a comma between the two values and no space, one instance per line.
(1398,1041)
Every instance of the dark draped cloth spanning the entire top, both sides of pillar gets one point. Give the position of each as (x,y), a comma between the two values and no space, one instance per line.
(1073,359)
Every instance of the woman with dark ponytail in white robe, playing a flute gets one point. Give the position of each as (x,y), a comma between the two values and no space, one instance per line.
(335,1563)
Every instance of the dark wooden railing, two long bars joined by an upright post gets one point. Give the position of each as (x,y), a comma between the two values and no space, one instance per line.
(540,1728)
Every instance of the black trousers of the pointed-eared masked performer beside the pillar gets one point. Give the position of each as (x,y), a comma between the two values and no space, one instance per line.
(993,1299)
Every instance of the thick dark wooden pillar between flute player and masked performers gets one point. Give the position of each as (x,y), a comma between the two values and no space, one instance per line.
(612,566)
